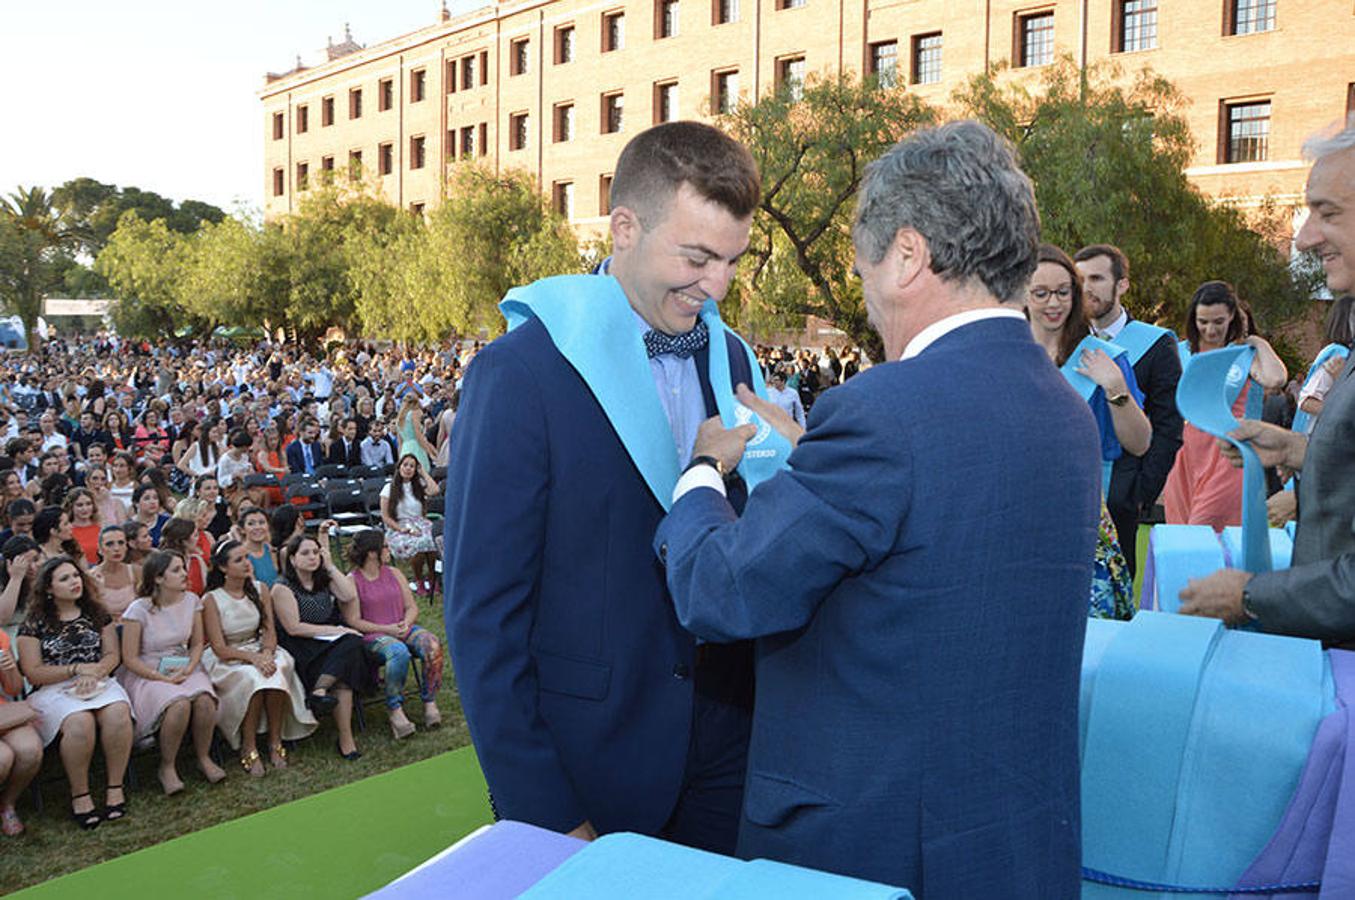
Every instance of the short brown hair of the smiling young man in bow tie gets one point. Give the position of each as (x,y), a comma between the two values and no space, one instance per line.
(658,161)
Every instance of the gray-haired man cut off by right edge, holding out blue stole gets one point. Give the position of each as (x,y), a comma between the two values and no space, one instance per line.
(1316,596)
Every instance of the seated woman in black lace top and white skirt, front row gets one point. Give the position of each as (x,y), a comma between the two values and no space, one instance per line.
(68,649)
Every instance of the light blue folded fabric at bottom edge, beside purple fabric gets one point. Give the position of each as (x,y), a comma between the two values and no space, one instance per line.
(627,867)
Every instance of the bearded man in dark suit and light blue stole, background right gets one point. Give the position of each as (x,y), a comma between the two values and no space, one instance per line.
(1136,482)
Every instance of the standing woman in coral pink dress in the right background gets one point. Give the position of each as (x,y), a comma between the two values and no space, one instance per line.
(1204,489)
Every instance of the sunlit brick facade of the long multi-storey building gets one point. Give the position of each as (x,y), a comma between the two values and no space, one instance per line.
(1304,67)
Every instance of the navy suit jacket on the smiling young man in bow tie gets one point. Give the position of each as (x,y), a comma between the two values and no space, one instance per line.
(574,673)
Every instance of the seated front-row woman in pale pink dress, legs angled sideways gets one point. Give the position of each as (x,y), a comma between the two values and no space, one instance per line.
(162,655)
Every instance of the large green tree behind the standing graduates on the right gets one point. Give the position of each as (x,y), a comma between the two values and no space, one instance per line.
(1108,157)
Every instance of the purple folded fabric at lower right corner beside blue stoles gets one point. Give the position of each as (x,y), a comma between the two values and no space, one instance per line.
(1316,838)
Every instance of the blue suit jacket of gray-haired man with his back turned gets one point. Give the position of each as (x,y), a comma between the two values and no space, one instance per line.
(919,584)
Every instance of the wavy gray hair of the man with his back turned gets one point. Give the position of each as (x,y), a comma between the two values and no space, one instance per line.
(960,188)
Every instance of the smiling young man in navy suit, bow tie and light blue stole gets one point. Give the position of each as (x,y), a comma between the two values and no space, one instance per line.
(591,710)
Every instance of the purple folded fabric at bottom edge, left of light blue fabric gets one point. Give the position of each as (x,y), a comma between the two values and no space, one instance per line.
(499,864)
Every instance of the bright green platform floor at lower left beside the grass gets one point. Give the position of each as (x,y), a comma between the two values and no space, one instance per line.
(341,844)
